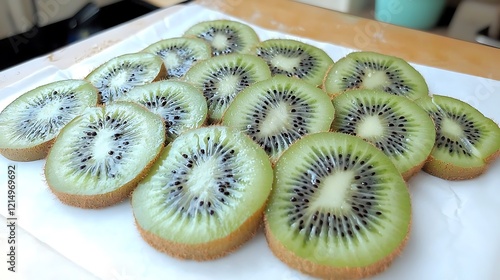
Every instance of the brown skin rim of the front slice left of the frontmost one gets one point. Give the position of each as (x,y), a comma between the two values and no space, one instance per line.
(206,251)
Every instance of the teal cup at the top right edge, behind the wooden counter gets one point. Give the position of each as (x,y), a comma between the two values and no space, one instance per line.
(417,14)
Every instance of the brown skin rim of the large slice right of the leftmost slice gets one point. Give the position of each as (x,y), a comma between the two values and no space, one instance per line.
(102,200)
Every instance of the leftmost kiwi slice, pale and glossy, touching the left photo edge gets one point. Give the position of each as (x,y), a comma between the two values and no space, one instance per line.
(30,123)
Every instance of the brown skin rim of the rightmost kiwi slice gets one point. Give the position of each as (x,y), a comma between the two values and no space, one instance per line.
(451,172)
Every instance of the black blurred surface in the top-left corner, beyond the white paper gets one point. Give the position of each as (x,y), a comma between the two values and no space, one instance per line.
(89,20)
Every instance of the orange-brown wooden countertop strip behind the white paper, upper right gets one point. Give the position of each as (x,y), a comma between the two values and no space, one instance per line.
(364,34)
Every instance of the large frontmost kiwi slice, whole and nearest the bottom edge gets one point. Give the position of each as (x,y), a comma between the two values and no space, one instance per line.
(339,208)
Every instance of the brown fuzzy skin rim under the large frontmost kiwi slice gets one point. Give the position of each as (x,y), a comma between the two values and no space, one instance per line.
(330,272)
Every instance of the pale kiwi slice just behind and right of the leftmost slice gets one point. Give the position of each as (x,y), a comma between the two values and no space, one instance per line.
(120,74)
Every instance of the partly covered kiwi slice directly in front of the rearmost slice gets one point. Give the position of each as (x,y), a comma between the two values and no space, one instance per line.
(221,78)
